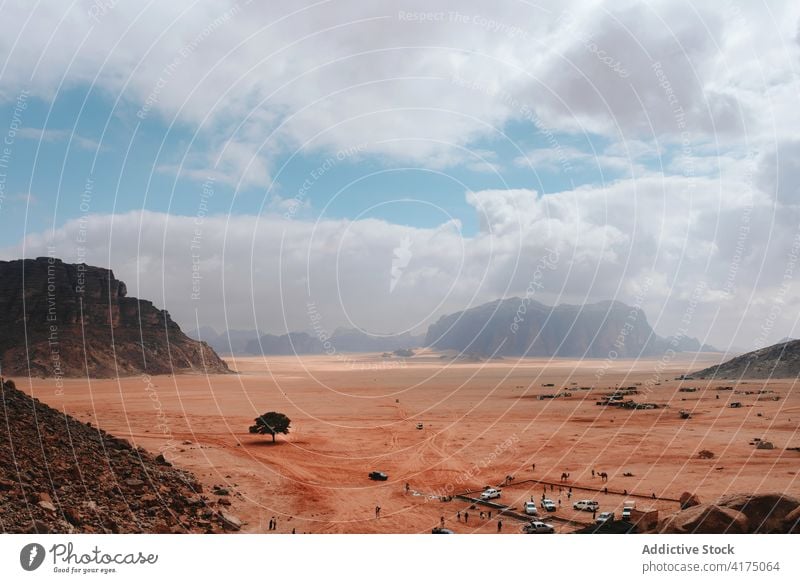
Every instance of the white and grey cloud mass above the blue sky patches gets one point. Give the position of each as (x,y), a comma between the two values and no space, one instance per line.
(337,74)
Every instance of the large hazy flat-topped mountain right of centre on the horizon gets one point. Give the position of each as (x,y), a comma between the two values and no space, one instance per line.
(516,327)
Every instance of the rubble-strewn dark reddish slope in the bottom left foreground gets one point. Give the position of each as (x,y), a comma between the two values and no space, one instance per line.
(62,476)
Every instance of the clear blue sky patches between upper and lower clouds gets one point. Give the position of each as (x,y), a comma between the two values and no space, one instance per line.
(86,134)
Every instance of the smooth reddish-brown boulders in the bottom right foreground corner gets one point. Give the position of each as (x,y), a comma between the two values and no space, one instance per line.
(737,514)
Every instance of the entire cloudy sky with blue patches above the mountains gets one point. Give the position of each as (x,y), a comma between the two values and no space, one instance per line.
(389,162)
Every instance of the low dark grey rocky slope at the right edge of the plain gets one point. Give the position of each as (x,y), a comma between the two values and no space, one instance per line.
(780,361)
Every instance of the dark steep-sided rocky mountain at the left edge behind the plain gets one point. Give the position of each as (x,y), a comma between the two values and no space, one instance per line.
(62,320)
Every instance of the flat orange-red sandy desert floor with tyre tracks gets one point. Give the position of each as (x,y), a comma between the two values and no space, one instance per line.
(482,421)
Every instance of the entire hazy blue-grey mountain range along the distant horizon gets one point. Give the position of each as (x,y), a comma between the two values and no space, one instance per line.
(511,327)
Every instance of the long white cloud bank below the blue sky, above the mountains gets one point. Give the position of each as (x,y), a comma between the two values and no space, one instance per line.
(263,270)
